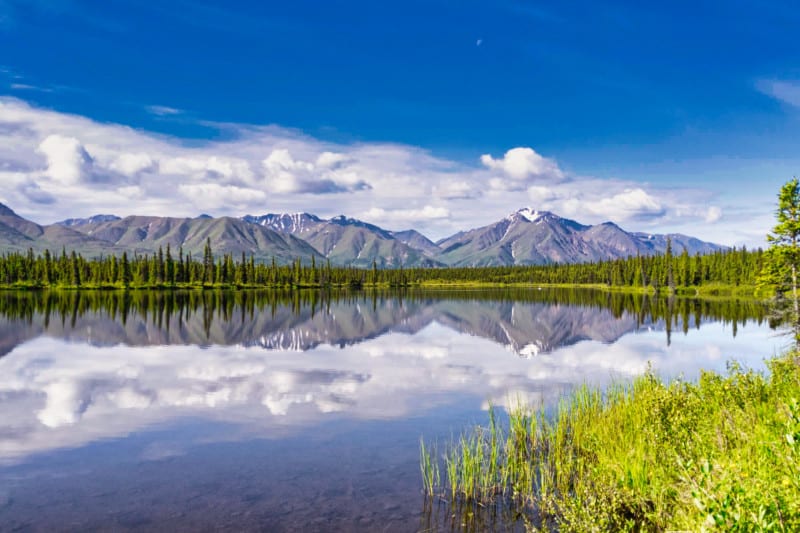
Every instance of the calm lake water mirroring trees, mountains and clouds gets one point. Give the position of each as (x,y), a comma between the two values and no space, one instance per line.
(302,411)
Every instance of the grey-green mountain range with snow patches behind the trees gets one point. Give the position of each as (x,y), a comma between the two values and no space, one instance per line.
(524,237)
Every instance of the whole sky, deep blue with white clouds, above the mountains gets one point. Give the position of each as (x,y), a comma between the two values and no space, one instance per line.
(696,104)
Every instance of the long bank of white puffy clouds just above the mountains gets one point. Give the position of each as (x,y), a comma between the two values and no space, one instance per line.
(94,167)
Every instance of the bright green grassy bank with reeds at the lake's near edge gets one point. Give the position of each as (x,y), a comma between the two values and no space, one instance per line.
(720,454)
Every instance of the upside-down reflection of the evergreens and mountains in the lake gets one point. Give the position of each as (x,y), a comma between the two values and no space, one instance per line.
(528,322)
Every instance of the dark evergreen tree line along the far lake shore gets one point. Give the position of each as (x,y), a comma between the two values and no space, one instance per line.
(732,267)
